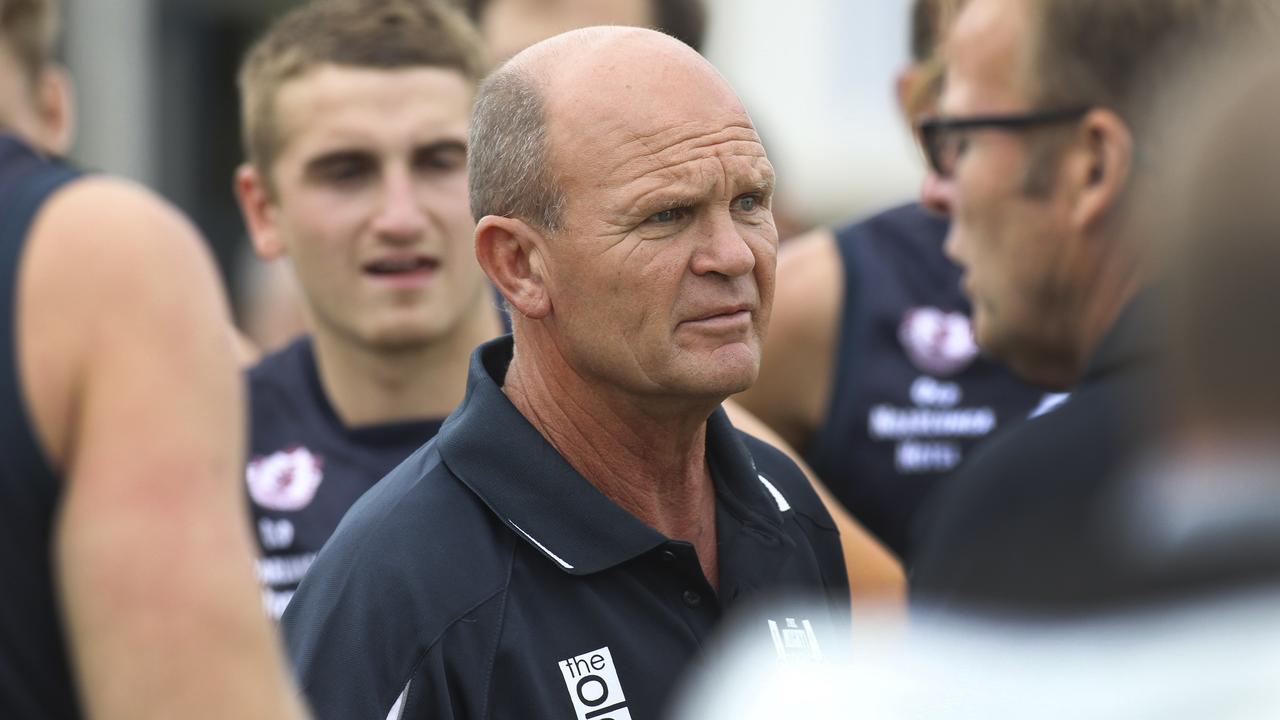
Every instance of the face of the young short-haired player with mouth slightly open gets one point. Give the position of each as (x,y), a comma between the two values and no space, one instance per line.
(372,203)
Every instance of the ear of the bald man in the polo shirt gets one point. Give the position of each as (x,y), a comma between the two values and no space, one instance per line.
(511,253)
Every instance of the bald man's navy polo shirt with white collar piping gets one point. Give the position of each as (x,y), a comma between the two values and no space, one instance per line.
(486,578)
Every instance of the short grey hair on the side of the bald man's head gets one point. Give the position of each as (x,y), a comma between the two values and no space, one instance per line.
(509,160)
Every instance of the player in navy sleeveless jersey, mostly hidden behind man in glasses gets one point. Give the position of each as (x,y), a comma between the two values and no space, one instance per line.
(870,367)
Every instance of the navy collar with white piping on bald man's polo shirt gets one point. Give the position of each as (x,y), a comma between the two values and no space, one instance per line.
(493,450)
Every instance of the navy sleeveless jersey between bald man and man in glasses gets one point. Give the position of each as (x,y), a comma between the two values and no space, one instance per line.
(911,397)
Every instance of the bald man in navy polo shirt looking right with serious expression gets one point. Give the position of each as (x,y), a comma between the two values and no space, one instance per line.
(582,523)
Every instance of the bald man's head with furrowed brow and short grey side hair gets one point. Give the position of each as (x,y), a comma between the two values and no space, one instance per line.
(637,241)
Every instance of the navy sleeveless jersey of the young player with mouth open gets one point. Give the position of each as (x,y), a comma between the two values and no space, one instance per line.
(307,468)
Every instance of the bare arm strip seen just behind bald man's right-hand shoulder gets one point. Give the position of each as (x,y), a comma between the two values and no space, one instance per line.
(875,575)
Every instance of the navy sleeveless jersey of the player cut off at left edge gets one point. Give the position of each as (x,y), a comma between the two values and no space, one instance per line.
(35,675)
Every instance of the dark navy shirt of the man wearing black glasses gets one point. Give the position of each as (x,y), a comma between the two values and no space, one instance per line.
(1031,523)
